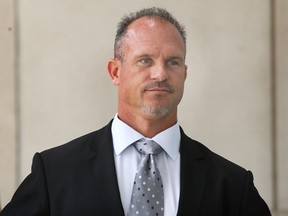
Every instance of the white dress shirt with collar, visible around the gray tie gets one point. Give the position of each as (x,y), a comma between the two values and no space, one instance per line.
(127,159)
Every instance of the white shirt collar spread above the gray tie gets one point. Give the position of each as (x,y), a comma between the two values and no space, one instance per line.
(123,136)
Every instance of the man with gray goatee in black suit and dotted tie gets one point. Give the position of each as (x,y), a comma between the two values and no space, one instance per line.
(97,174)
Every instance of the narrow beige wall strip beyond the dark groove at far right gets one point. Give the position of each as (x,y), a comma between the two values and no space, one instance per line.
(282,103)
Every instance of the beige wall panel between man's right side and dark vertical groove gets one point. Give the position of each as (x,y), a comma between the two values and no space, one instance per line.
(227,97)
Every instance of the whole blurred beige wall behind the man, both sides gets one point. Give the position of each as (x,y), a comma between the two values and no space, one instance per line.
(54,85)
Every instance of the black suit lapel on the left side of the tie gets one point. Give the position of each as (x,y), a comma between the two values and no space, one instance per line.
(102,166)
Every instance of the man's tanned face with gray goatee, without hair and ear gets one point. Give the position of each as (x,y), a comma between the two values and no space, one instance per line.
(151,76)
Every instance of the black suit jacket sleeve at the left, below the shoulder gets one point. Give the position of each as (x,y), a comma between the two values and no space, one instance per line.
(31,198)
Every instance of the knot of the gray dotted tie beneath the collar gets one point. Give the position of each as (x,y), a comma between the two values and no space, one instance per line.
(145,147)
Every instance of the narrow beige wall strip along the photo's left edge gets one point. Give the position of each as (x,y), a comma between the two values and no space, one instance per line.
(7,102)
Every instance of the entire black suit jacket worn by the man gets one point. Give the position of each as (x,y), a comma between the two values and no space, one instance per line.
(79,178)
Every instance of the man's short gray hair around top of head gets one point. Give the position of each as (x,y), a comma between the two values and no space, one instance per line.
(154,12)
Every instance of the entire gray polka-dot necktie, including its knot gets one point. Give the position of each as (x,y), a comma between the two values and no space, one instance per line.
(147,196)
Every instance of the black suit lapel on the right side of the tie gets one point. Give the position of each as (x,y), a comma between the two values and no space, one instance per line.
(192,177)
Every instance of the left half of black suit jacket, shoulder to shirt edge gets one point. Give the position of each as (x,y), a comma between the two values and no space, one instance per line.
(77,178)
